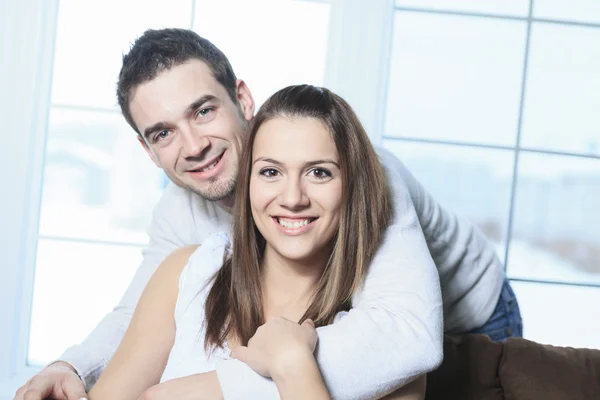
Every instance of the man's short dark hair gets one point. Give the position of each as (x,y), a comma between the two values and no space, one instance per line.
(159,50)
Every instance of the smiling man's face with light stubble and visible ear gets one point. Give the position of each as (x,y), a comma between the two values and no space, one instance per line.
(192,129)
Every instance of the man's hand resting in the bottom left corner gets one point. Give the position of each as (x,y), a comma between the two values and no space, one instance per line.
(57,381)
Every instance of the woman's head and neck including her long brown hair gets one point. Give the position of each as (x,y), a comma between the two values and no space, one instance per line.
(309,159)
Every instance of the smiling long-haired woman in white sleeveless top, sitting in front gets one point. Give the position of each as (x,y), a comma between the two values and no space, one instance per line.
(311,208)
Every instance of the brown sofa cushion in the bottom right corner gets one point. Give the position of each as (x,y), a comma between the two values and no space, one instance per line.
(531,371)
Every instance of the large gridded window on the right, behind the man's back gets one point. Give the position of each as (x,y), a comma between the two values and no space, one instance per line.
(493,106)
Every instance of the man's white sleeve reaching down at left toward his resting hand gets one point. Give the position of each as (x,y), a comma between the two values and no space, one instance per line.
(171,228)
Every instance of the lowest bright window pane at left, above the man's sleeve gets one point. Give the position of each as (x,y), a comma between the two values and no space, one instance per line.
(76,284)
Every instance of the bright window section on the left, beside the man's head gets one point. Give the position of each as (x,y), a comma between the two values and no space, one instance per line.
(99,187)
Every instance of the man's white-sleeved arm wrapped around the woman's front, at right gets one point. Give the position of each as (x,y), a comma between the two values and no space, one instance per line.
(392,334)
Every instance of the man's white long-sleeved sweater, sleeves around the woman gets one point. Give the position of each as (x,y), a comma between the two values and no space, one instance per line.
(394,331)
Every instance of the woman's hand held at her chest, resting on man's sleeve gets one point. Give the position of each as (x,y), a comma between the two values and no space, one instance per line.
(278,345)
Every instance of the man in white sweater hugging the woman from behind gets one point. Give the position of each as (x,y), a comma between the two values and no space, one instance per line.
(179,93)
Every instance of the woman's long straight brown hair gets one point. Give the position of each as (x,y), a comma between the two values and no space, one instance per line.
(234,304)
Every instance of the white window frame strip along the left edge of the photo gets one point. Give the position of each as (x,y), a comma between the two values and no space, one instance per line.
(27,32)
